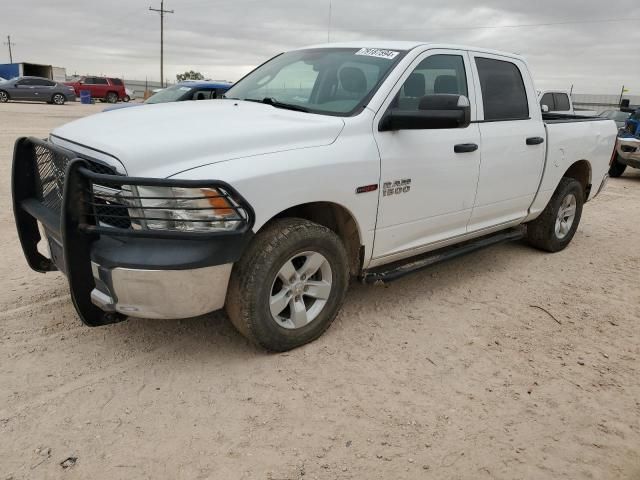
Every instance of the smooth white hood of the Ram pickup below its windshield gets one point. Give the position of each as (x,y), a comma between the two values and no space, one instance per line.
(165,139)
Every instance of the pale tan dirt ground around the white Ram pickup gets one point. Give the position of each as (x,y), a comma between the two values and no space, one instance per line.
(455,372)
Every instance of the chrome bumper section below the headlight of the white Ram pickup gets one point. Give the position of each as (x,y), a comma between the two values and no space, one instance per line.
(160,294)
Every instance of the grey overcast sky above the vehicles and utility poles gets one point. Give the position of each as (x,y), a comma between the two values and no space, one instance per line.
(226,39)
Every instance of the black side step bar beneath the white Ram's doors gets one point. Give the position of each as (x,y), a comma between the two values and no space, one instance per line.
(396,270)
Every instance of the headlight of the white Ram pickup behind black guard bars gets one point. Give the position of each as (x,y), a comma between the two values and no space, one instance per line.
(183,209)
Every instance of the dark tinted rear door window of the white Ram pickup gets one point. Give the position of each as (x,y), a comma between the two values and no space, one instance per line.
(503,92)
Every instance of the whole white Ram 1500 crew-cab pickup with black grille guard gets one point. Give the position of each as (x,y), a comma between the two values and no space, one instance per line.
(358,160)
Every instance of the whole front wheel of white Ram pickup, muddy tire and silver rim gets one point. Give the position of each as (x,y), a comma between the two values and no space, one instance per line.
(288,287)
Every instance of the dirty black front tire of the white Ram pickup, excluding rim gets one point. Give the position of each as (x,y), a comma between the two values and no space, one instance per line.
(255,276)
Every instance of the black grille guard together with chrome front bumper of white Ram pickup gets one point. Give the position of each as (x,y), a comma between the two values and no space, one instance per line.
(114,270)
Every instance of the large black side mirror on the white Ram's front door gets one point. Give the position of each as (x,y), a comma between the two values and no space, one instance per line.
(434,112)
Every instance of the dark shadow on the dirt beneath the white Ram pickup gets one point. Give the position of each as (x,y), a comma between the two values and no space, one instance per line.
(213,334)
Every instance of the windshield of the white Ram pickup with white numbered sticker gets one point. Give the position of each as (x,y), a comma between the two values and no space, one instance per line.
(335,81)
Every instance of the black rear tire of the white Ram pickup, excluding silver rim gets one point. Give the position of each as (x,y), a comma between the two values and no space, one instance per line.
(542,232)
